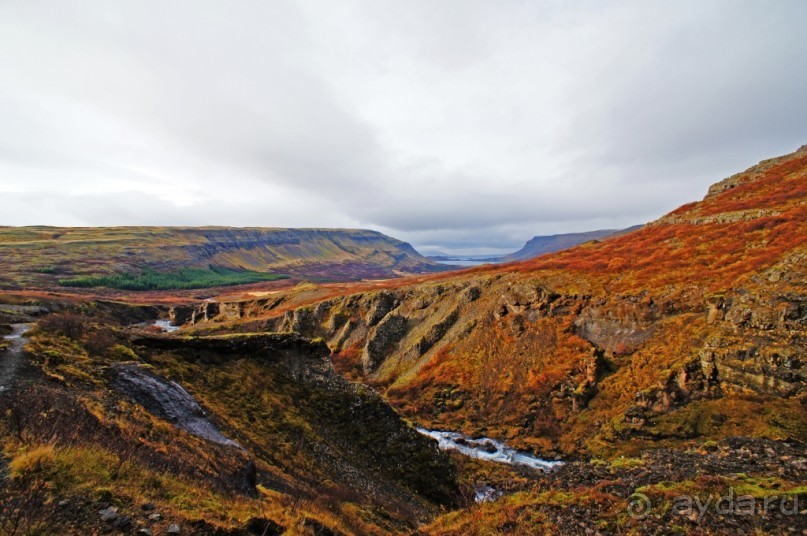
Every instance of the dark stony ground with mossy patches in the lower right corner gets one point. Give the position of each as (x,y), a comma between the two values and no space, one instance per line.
(735,486)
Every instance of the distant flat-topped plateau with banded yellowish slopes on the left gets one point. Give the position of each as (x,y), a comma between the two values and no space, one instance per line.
(32,257)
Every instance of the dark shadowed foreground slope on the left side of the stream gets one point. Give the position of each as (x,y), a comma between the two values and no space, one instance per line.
(111,430)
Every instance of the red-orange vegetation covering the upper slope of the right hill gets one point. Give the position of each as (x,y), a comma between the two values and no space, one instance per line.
(711,242)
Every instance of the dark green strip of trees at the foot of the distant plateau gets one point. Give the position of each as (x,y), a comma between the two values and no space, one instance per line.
(186,278)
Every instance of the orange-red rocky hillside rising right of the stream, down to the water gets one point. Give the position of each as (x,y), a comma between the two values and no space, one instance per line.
(692,327)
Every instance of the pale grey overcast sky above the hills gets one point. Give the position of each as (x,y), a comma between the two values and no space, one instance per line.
(457,125)
